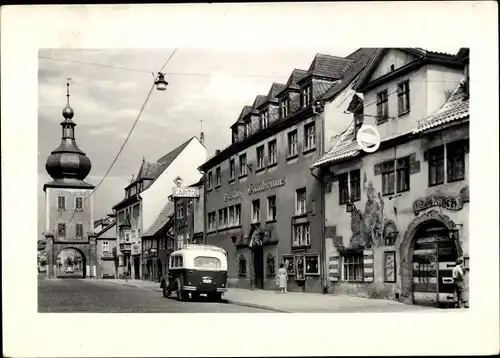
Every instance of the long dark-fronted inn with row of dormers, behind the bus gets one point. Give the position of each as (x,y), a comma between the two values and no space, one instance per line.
(262,204)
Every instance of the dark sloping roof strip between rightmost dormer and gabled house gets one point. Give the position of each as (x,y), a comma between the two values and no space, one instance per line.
(360,58)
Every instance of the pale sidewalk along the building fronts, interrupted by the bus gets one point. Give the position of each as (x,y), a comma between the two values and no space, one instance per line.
(297,302)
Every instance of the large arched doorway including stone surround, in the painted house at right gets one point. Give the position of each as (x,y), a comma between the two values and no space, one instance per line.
(428,253)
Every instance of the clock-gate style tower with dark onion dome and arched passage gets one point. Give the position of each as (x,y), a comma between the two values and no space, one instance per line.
(68,199)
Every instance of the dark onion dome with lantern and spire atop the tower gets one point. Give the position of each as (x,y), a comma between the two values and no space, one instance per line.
(68,161)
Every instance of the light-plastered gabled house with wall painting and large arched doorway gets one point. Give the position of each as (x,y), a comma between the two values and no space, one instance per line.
(397,219)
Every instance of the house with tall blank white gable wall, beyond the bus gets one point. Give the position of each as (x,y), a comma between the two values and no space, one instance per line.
(146,198)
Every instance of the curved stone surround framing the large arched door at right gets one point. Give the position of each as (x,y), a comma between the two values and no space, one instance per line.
(407,246)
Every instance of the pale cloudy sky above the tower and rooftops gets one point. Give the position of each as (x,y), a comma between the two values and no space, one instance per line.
(206,88)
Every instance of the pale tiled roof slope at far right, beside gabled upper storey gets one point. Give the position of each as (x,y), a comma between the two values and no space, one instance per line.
(455,108)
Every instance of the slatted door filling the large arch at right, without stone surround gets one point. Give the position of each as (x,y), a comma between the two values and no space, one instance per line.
(434,256)
